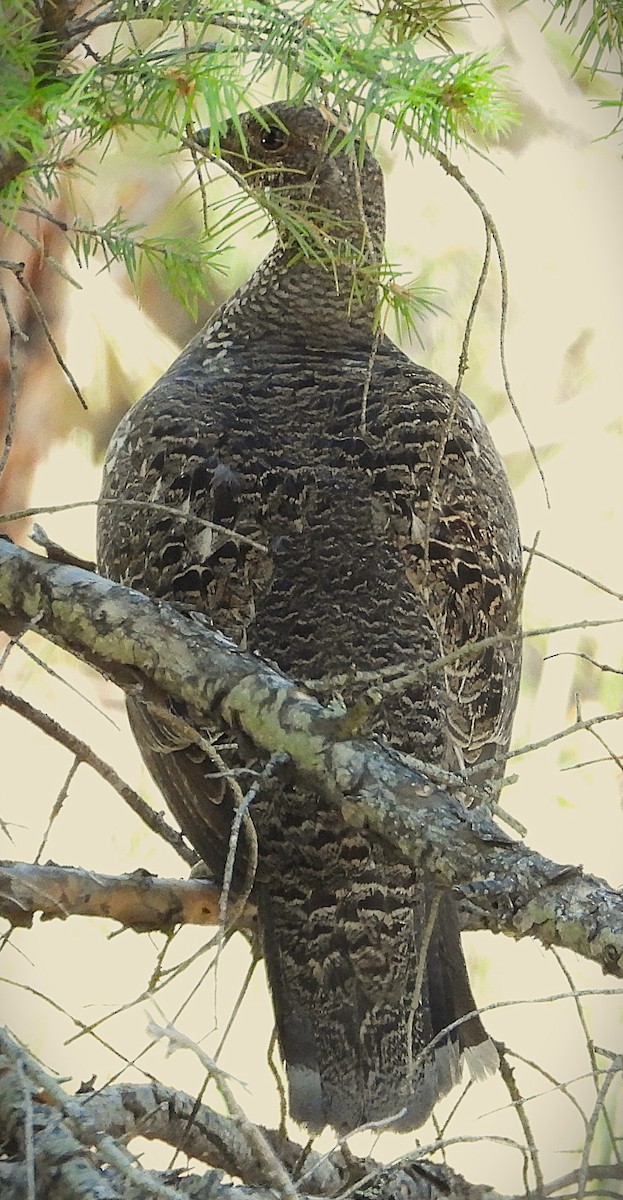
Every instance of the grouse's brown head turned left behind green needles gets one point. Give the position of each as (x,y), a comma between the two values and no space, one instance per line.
(295,154)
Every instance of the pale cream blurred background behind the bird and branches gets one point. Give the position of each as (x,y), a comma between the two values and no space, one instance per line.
(555,189)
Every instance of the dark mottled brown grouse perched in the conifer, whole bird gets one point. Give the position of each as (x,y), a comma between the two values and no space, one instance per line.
(342,512)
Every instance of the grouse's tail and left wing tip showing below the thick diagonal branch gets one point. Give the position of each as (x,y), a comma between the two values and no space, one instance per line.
(361,1012)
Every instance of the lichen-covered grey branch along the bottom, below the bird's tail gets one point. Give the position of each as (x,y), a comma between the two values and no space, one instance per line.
(64,1129)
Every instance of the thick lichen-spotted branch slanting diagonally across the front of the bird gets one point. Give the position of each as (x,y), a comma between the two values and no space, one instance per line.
(143,644)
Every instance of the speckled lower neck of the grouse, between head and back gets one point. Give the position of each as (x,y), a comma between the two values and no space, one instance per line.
(296,301)
